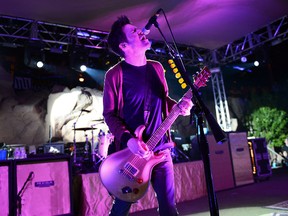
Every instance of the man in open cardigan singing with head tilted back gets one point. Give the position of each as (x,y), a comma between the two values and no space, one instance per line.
(135,94)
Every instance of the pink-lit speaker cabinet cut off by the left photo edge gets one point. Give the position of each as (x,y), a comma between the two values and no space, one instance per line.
(5,187)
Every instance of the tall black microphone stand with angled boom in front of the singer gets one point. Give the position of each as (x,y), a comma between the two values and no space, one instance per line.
(199,109)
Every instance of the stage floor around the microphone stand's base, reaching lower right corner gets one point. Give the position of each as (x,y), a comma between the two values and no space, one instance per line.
(249,200)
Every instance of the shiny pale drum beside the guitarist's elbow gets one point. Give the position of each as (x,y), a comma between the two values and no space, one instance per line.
(104,140)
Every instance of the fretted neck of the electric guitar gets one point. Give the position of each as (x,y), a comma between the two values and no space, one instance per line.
(166,124)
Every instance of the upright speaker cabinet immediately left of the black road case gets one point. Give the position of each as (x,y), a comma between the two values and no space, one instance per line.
(241,158)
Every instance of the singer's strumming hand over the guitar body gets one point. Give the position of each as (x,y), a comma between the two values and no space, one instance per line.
(138,147)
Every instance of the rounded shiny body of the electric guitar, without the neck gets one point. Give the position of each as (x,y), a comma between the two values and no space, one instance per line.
(127,176)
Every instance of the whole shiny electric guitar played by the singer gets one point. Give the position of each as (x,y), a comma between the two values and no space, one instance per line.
(126,175)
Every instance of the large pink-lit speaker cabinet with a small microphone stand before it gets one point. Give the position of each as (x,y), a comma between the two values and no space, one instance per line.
(43,186)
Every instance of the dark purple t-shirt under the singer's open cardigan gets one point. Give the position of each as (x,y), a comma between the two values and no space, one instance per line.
(136,81)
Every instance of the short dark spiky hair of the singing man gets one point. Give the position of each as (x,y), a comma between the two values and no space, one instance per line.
(117,36)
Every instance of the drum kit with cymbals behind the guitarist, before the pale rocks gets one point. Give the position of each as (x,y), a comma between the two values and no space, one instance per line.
(99,147)
